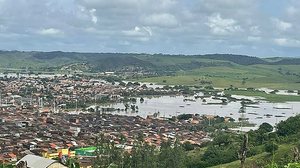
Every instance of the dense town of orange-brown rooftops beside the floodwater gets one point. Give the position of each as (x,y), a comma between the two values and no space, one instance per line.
(58,116)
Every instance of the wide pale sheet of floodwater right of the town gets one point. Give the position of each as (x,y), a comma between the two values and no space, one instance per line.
(169,106)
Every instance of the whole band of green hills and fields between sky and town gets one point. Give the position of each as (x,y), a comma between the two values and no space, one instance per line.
(219,70)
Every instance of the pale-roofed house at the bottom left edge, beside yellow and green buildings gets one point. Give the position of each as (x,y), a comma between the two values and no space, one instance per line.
(34,161)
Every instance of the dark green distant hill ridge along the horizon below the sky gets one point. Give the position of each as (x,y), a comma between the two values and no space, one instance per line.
(116,61)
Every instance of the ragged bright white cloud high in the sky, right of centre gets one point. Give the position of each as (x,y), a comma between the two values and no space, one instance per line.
(220,26)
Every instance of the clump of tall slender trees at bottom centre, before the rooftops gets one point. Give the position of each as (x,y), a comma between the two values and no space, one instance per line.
(168,155)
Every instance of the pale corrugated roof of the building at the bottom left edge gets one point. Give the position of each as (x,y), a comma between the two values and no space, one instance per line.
(36,161)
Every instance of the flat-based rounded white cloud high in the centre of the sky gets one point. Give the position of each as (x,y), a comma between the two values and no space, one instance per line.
(161,20)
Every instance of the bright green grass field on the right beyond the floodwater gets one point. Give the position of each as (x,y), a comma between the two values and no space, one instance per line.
(255,76)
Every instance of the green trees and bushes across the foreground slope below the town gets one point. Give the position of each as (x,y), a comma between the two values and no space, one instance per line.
(262,148)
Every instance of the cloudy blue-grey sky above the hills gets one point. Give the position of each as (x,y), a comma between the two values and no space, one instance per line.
(263,28)
